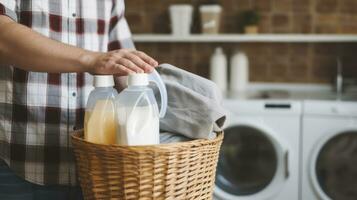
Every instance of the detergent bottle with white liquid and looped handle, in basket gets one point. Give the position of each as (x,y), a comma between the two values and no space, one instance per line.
(137,113)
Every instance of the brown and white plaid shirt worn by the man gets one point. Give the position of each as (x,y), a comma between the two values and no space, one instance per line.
(39,110)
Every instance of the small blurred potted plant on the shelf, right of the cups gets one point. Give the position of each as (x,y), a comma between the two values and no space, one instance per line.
(250,19)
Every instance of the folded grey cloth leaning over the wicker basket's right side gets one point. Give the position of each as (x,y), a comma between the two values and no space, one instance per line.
(194,105)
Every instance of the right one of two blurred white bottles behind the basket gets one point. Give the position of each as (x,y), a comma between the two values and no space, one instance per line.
(239,76)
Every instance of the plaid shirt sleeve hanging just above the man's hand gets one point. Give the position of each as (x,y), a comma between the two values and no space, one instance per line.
(119,31)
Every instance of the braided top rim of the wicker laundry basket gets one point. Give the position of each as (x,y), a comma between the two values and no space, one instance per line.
(78,136)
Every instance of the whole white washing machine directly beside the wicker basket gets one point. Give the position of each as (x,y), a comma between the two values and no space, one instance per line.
(260,152)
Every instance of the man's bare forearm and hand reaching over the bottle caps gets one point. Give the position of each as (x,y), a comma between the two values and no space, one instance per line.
(28,50)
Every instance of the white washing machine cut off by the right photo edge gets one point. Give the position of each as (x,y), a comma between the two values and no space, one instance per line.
(329,150)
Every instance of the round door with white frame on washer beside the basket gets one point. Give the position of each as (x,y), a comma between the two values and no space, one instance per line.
(253,163)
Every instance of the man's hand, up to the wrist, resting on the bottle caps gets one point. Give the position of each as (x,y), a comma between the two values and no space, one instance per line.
(119,62)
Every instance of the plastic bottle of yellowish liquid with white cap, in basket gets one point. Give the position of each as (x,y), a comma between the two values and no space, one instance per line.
(99,119)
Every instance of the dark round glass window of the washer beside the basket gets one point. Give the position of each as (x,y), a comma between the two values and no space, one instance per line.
(247,162)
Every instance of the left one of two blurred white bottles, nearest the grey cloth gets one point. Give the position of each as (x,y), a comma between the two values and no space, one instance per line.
(218,69)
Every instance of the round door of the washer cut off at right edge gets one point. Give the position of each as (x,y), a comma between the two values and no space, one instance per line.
(333,165)
